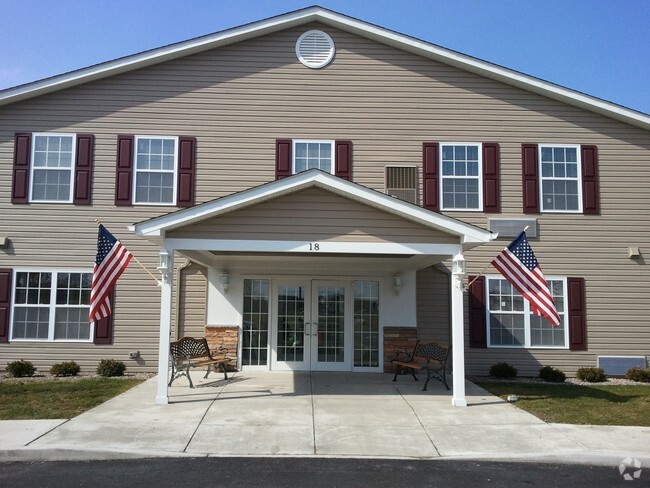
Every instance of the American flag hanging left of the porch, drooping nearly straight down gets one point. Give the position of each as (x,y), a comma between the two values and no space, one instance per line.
(111,261)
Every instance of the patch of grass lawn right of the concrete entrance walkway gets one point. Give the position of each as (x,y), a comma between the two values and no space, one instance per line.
(578,404)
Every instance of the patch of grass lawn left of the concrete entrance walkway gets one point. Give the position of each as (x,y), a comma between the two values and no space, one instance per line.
(57,399)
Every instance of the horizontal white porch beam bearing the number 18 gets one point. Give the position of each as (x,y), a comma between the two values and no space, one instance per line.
(324,247)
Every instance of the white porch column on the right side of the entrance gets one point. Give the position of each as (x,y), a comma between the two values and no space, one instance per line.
(458,332)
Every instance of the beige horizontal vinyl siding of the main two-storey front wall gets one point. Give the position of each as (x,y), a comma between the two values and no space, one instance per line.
(238,99)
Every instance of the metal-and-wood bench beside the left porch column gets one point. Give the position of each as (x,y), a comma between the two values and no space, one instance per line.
(190,352)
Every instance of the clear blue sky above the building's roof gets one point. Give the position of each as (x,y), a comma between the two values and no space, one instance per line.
(600,47)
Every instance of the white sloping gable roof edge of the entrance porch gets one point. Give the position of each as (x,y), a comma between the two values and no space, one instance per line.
(469,235)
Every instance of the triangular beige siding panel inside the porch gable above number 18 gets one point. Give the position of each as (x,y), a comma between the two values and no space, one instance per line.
(312,215)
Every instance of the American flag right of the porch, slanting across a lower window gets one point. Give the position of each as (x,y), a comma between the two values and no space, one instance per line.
(518,264)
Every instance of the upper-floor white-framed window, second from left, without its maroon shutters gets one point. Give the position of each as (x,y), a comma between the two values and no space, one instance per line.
(156,160)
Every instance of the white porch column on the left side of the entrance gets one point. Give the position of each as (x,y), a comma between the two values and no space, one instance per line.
(166,270)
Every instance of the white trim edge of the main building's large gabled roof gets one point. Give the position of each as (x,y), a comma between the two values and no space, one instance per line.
(344,23)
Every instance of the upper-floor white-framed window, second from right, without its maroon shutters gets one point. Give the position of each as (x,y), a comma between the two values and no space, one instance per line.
(460,181)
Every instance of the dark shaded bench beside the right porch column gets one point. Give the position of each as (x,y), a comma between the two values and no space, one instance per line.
(430,356)
